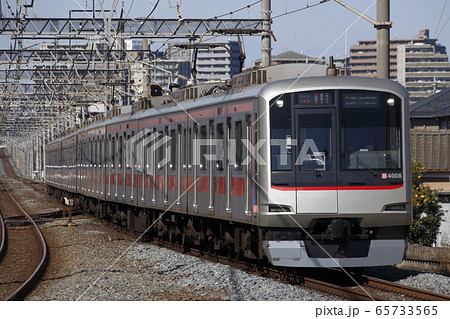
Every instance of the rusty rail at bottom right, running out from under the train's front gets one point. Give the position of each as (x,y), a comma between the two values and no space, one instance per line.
(410,291)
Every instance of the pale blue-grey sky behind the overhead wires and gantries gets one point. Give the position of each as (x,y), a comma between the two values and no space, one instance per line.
(320,30)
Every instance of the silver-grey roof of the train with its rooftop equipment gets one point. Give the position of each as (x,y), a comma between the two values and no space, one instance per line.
(266,83)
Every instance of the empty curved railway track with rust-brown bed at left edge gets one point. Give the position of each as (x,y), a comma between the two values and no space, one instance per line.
(24,253)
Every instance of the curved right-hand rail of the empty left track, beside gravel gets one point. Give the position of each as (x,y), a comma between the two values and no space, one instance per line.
(32,281)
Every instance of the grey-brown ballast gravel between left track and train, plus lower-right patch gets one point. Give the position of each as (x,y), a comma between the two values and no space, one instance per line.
(93,261)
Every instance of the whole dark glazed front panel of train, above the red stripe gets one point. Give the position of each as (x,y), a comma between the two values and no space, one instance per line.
(336,138)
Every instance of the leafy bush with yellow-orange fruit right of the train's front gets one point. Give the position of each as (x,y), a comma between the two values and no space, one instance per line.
(427,212)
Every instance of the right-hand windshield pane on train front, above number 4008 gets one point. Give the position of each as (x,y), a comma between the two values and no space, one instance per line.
(370,126)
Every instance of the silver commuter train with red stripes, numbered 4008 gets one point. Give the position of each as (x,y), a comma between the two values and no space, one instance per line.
(280,164)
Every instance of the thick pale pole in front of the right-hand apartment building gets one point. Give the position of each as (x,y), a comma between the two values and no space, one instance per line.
(383,34)
